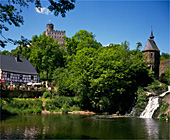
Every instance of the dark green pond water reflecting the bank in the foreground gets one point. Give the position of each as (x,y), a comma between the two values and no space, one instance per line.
(72,126)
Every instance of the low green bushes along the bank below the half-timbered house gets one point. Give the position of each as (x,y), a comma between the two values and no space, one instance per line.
(16,106)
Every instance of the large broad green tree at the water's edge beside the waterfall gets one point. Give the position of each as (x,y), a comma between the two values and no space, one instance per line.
(105,79)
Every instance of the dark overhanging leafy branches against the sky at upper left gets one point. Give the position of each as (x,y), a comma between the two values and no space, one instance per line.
(11,15)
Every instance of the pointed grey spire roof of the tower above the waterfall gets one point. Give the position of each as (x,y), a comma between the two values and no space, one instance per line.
(150,44)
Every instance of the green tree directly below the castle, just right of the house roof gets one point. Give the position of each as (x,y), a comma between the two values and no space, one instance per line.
(46,55)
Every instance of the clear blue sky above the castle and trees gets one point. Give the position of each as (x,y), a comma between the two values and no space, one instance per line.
(111,21)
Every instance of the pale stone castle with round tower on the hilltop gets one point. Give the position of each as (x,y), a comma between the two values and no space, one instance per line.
(57,35)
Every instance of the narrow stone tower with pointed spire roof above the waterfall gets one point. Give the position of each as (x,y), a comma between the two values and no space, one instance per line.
(152,54)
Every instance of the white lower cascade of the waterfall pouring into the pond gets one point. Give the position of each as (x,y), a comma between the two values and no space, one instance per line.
(153,104)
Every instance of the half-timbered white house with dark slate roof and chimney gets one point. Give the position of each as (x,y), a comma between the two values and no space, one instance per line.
(17,70)
